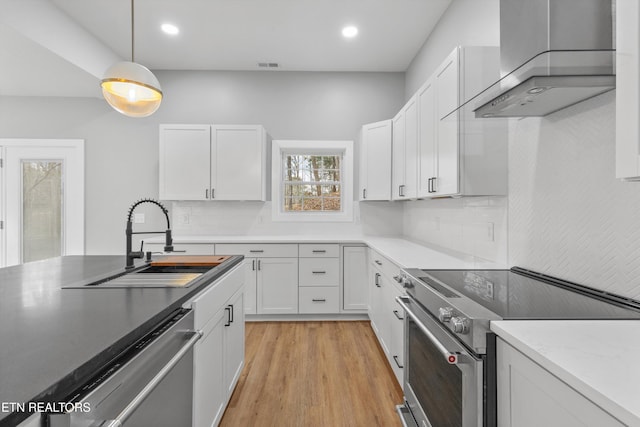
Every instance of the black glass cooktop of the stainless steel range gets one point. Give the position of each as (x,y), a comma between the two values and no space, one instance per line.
(521,294)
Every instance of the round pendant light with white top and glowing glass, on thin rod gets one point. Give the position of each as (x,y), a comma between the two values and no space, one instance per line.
(131,88)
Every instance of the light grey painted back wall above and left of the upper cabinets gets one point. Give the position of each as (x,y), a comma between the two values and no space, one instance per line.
(122,153)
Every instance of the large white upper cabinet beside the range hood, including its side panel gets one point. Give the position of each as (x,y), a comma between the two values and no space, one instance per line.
(460,155)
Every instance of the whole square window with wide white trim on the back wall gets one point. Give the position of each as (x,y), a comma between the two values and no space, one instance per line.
(312,180)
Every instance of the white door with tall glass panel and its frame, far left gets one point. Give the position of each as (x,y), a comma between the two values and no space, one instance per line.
(43,196)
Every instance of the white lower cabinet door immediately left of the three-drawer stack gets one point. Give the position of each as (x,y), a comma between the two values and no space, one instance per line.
(277,285)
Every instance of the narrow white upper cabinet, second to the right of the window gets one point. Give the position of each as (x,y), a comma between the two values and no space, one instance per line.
(405,152)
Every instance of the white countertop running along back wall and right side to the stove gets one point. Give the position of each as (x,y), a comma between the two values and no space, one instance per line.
(403,252)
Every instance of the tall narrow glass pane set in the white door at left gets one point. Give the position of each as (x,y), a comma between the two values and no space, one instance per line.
(42,209)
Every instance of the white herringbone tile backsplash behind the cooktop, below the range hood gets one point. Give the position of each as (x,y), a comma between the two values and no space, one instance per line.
(568,214)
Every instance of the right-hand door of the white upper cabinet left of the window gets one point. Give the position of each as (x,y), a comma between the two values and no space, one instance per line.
(238,163)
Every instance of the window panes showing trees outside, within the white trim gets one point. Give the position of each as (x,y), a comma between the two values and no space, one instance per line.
(312,183)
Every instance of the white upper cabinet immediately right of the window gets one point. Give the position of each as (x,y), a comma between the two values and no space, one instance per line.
(375,161)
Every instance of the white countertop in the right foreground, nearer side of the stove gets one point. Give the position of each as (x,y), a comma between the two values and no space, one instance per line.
(598,358)
